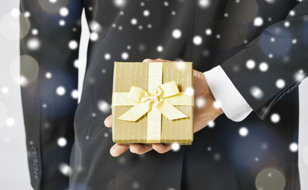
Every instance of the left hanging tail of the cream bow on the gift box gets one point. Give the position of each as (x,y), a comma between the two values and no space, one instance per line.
(135,113)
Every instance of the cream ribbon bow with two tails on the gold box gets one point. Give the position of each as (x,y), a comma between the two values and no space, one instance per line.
(146,101)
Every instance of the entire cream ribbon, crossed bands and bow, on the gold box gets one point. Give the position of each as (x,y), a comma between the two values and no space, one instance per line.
(159,99)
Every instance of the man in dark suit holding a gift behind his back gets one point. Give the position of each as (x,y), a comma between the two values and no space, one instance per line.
(255,55)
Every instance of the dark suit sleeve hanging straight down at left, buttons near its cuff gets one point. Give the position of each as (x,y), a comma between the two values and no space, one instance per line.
(50,32)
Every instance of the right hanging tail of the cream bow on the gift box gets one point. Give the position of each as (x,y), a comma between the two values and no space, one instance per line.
(170,111)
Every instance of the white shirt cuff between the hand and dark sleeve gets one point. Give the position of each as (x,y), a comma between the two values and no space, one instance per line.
(232,102)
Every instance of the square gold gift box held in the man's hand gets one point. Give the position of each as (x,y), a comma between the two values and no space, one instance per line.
(153,126)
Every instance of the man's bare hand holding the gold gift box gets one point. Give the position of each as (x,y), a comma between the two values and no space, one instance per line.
(205,111)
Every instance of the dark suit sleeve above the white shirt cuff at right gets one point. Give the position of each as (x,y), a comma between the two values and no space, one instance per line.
(274,63)
